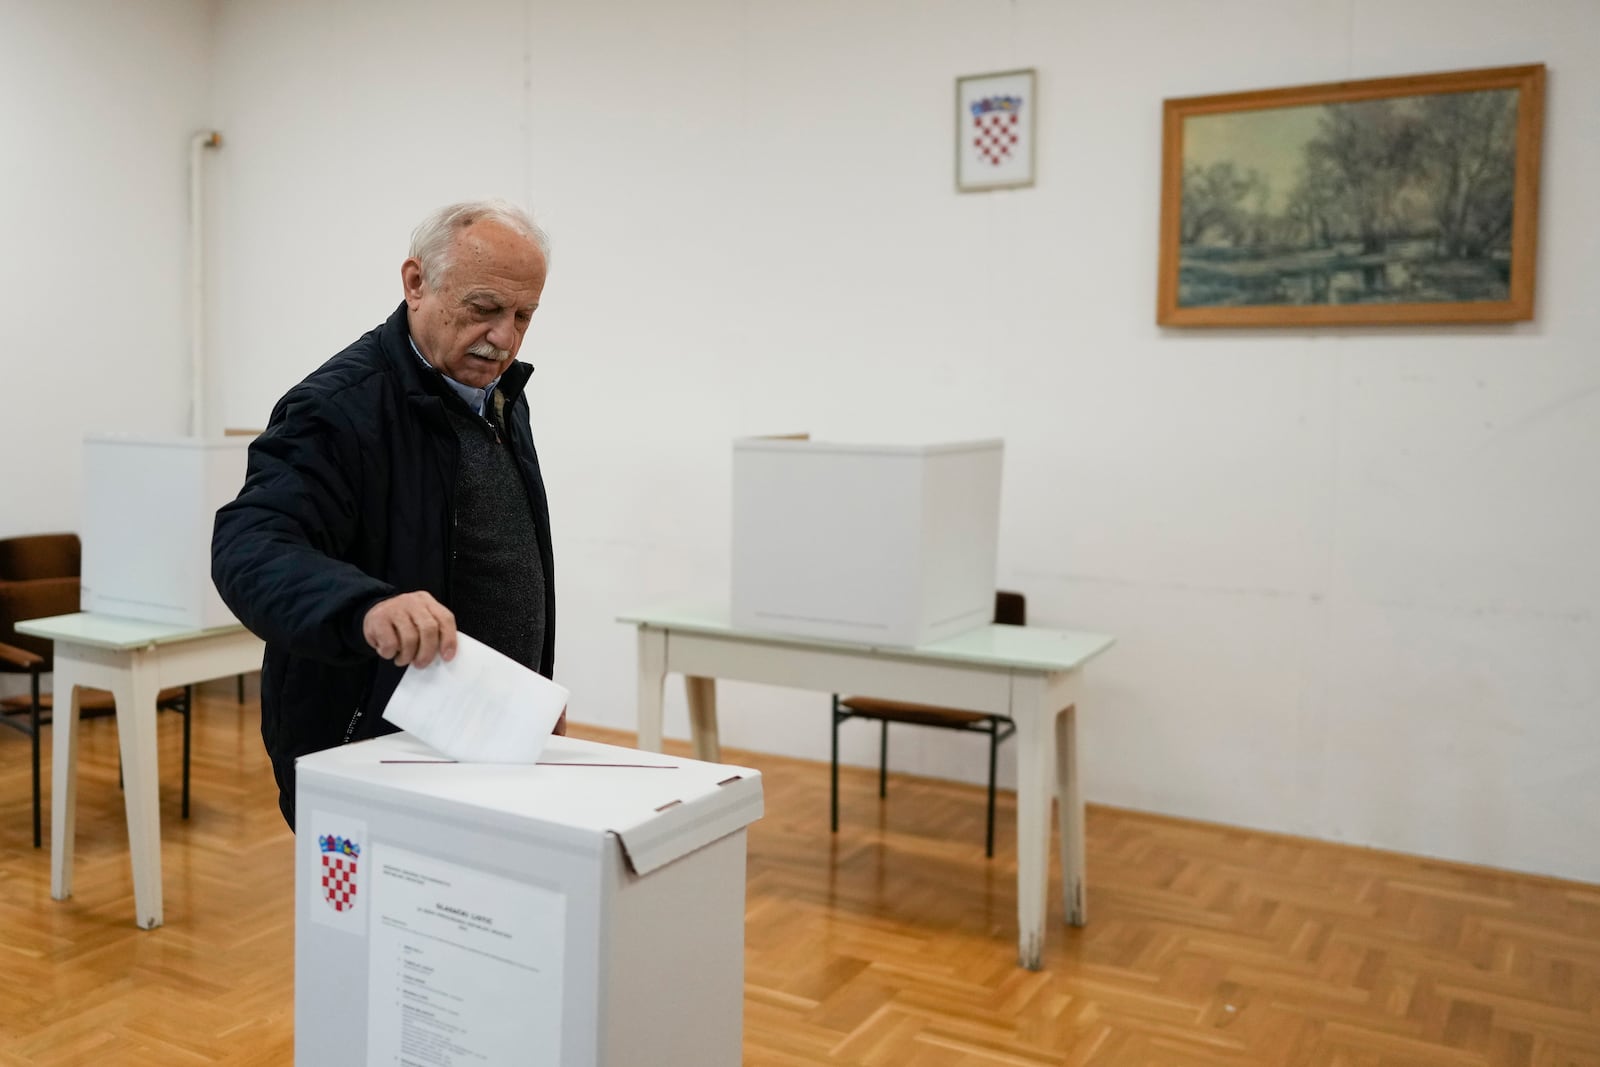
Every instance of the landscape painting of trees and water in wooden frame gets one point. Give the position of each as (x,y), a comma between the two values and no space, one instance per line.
(1394,201)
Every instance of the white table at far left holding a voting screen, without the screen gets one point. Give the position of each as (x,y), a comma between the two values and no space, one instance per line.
(135,660)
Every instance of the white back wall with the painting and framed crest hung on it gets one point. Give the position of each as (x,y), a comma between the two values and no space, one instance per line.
(1351,572)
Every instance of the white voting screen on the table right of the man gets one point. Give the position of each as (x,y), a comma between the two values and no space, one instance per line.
(886,545)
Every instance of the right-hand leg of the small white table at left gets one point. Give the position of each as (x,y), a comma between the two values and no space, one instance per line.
(142,786)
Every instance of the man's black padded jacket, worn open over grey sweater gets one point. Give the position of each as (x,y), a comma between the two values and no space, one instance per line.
(351,500)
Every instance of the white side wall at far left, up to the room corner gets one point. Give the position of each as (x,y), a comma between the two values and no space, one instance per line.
(102,100)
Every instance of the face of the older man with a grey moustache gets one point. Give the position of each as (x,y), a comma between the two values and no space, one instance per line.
(471,324)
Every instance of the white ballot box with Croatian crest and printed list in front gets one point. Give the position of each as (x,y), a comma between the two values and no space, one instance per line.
(586,911)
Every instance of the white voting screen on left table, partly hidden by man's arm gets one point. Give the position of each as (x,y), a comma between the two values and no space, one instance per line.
(150,505)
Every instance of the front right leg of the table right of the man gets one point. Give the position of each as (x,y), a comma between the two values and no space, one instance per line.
(1036,762)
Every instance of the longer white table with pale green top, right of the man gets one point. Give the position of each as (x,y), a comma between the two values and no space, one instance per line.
(1028,674)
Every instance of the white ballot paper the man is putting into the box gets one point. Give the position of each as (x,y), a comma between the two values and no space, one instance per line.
(479,708)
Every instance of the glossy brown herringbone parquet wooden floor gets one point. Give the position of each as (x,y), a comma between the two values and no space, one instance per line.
(892,943)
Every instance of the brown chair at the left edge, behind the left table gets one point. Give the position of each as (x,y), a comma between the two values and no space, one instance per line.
(39,578)
